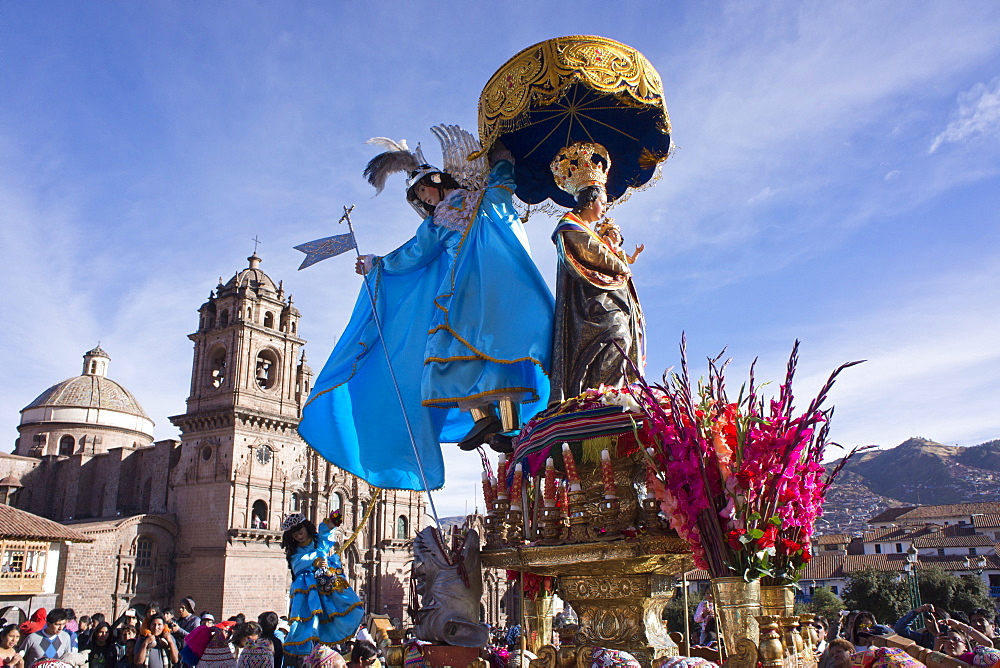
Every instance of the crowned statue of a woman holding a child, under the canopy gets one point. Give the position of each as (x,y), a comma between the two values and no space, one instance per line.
(596,303)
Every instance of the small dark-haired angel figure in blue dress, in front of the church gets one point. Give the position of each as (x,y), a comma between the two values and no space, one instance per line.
(324,609)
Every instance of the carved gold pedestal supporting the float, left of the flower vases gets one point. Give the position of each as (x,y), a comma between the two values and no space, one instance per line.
(622,612)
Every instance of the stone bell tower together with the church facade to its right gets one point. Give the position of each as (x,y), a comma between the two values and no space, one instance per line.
(242,466)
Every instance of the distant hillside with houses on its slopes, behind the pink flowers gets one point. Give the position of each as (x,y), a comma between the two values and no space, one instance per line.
(918,471)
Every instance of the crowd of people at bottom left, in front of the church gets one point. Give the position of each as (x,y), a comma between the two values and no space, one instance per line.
(166,638)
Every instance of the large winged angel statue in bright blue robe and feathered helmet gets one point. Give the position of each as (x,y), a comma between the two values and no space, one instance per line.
(466,320)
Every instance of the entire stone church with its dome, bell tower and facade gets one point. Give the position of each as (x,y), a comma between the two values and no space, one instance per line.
(200,516)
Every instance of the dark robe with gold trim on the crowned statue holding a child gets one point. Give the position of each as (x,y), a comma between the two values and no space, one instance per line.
(596,305)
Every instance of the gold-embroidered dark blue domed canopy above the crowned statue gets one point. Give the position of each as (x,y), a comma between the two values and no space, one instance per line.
(570,89)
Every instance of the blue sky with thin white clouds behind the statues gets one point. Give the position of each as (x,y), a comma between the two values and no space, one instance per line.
(836,180)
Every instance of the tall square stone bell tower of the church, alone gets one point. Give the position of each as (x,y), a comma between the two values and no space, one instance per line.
(242,465)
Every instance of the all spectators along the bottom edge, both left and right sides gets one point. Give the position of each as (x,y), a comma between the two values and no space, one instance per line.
(165,638)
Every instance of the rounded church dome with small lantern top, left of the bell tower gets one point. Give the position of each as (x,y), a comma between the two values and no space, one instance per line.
(90,398)
